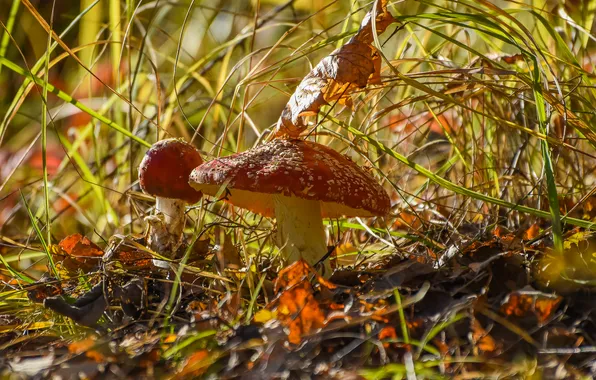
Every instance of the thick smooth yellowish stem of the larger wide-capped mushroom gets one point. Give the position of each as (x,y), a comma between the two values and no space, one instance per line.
(300,231)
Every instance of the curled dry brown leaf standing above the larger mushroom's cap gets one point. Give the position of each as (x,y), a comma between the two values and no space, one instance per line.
(347,69)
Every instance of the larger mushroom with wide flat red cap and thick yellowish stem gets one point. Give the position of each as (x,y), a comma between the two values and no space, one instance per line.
(299,182)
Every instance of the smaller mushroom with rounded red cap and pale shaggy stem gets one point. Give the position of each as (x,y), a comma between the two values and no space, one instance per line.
(164,172)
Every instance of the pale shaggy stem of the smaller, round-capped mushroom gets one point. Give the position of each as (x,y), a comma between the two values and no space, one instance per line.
(167,226)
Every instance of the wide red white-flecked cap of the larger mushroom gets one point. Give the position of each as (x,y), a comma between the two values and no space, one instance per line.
(293,168)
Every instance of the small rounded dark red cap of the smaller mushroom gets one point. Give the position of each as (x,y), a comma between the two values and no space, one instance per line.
(165,169)
